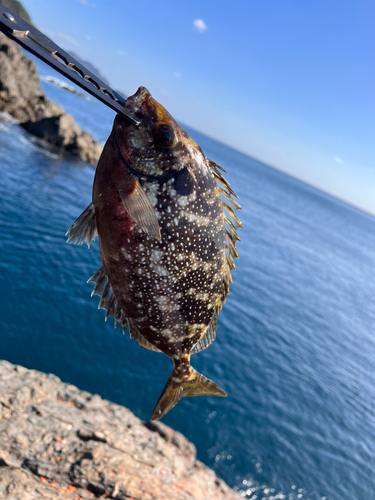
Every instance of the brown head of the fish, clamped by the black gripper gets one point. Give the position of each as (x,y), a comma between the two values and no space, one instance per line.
(158,146)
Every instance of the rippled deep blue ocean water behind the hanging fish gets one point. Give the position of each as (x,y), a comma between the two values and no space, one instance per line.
(295,349)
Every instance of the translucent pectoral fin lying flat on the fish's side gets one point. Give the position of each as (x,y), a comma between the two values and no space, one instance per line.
(139,208)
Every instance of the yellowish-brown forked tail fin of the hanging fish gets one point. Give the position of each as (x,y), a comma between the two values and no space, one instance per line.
(195,385)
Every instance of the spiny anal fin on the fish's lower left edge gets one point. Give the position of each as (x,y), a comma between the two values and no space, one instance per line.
(109,303)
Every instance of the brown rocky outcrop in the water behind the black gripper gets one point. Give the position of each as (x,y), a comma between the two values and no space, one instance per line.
(22,97)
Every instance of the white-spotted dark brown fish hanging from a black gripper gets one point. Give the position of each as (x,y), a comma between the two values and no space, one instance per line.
(167,228)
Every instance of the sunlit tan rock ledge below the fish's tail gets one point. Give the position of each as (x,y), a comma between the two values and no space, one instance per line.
(59,442)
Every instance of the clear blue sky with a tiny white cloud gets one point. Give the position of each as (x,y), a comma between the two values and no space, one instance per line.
(288,82)
